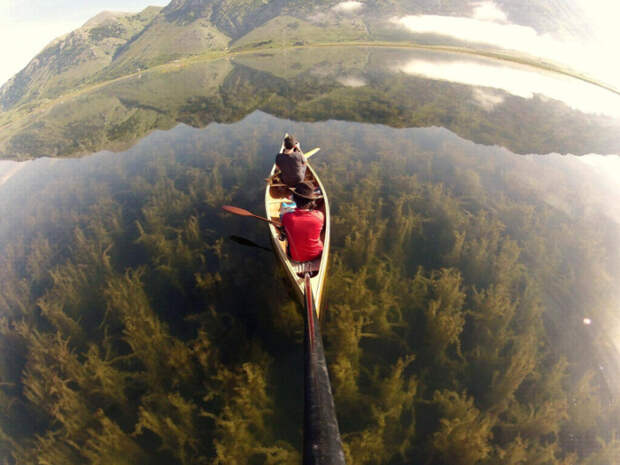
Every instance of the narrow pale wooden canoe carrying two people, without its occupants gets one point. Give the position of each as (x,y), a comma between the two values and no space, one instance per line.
(274,196)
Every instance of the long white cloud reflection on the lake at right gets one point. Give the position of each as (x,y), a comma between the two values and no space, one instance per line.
(518,80)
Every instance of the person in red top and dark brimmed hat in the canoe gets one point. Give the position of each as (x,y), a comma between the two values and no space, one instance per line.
(303,226)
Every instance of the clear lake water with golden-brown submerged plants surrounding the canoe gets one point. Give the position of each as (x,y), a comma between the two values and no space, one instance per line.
(133,331)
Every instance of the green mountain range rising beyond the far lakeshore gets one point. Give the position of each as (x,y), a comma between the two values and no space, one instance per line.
(113,45)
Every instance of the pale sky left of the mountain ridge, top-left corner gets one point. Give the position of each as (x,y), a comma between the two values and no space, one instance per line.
(27,26)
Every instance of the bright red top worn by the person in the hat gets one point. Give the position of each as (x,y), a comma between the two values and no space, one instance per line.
(303,230)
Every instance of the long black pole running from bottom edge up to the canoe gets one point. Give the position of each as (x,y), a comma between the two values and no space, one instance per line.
(322,445)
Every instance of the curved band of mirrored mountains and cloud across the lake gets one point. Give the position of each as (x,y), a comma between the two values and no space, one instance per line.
(488,102)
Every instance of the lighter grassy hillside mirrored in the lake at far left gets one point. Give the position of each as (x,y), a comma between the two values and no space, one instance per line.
(113,117)
